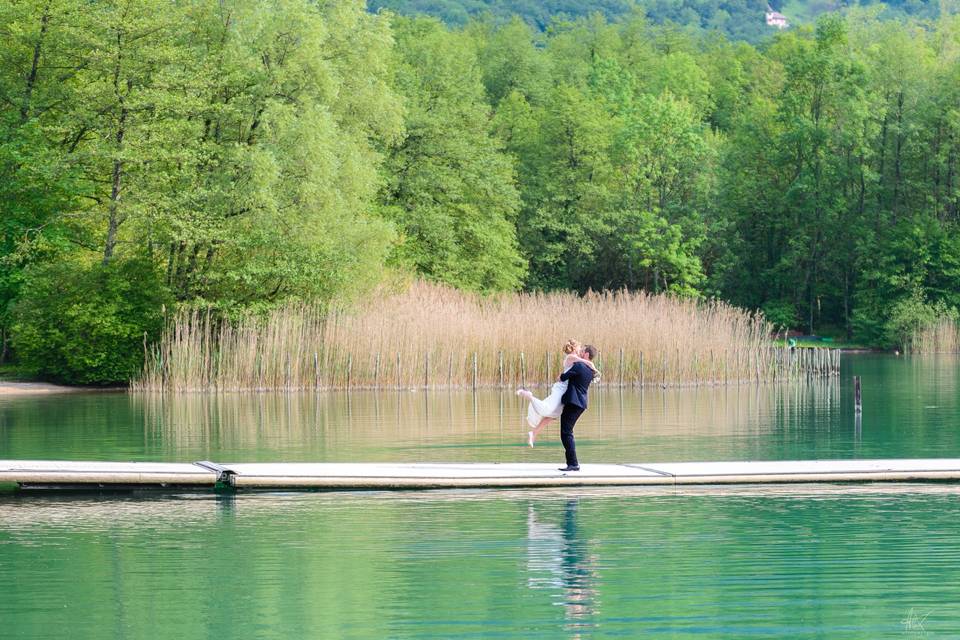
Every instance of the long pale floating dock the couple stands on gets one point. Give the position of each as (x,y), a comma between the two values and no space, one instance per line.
(107,476)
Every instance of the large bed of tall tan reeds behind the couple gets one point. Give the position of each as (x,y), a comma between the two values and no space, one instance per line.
(434,336)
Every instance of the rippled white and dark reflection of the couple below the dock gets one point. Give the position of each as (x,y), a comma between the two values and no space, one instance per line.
(559,560)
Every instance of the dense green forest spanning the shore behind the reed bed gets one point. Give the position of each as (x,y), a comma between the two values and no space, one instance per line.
(238,154)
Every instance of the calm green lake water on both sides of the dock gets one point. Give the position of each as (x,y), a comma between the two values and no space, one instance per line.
(831,561)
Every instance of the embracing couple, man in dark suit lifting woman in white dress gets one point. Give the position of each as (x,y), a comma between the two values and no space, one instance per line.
(567,399)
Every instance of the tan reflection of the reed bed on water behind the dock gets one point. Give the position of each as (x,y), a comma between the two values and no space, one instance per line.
(624,425)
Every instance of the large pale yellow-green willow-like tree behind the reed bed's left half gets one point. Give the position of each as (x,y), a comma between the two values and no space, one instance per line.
(289,111)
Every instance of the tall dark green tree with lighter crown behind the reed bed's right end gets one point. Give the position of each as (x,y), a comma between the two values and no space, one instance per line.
(794,171)
